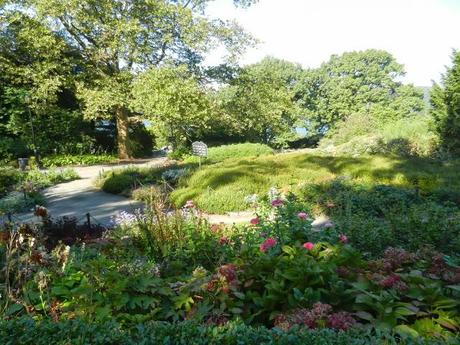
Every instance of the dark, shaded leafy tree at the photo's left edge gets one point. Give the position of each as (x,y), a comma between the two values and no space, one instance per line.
(35,75)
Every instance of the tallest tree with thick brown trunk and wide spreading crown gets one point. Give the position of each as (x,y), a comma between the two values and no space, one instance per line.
(119,38)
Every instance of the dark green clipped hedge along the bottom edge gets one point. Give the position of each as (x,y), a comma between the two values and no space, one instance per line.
(26,331)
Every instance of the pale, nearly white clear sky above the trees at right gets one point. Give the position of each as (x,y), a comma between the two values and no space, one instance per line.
(419,33)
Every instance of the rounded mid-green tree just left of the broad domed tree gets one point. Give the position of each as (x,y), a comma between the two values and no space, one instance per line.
(261,100)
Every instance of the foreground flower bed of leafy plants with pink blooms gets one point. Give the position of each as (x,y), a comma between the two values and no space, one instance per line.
(275,273)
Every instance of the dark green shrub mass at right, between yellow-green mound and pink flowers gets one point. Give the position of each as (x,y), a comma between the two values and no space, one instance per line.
(377,217)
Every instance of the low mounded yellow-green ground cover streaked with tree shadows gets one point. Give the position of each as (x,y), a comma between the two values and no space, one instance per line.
(222,187)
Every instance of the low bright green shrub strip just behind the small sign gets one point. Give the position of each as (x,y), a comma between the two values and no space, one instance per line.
(221,153)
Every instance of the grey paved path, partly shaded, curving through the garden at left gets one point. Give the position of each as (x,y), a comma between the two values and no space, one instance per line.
(78,197)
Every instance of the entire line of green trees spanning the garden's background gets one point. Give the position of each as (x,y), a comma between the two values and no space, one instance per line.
(87,74)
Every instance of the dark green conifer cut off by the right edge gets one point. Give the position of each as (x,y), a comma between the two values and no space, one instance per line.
(445,106)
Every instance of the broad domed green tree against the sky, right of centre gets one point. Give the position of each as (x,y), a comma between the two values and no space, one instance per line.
(357,82)
